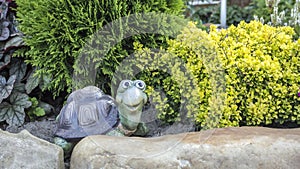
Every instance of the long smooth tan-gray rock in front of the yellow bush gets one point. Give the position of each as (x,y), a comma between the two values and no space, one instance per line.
(245,147)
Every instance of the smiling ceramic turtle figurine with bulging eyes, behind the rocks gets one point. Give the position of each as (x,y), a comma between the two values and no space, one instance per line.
(89,111)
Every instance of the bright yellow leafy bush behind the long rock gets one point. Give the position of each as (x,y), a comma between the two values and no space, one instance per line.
(260,65)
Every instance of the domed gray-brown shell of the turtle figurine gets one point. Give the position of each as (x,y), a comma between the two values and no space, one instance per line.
(88,112)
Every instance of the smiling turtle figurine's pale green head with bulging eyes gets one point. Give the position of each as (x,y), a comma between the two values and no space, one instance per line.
(130,99)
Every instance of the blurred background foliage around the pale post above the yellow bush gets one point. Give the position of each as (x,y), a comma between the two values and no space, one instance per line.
(240,10)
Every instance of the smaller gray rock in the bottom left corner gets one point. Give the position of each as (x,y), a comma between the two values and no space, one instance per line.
(25,151)
